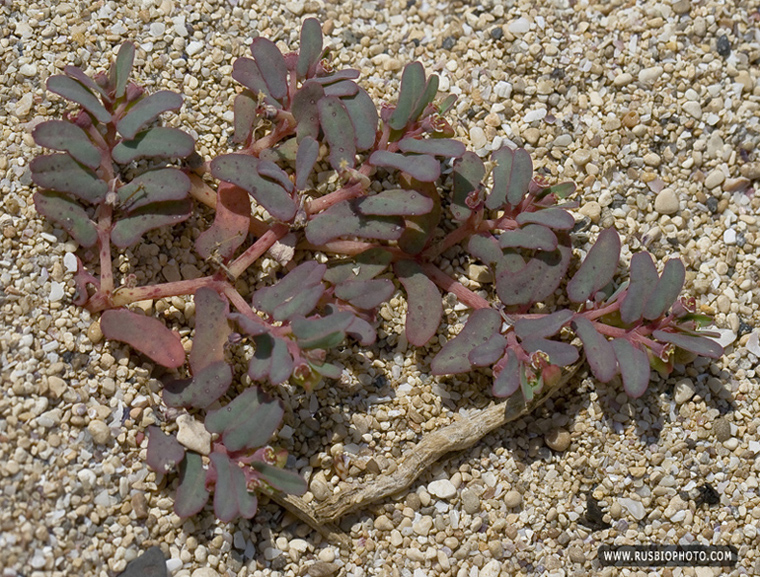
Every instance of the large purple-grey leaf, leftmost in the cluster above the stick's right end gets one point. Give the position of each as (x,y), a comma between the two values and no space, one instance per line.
(453,358)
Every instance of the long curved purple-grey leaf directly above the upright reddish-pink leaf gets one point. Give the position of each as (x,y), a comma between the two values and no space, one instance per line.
(242,170)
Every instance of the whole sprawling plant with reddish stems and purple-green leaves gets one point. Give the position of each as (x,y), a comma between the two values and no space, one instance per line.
(296,118)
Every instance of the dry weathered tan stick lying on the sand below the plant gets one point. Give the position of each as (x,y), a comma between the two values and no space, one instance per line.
(462,434)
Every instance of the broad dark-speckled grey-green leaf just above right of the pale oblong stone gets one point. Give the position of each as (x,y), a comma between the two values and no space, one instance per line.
(249,421)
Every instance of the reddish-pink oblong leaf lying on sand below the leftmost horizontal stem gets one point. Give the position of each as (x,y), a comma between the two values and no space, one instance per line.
(144,334)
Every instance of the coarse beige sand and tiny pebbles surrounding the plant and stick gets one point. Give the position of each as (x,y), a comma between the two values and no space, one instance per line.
(651,108)
